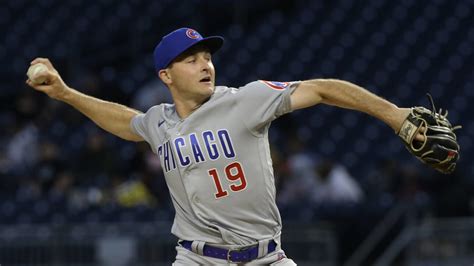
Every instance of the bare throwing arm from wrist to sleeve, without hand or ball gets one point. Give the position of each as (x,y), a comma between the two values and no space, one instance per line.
(112,117)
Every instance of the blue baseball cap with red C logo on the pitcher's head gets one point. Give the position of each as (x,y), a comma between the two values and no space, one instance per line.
(178,41)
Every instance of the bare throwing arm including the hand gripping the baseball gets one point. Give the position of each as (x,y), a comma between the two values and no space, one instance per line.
(112,117)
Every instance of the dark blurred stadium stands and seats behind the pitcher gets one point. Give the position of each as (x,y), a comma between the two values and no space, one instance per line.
(349,193)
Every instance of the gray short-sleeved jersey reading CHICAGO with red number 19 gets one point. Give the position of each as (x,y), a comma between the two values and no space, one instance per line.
(217,162)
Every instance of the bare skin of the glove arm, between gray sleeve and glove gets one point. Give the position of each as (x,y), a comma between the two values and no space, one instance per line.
(347,95)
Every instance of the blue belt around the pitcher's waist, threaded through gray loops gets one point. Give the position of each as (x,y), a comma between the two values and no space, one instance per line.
(231,255)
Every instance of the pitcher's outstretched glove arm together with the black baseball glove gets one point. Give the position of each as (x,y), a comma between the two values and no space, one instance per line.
(427,134)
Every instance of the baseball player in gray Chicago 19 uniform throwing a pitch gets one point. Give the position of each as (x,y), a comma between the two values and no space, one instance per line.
(213,145)
